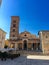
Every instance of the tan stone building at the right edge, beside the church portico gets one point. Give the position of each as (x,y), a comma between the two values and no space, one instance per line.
(44,41)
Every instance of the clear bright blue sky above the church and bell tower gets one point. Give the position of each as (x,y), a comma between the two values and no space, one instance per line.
(34,15)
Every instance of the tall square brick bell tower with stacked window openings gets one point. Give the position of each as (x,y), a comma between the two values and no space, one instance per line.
(14,30)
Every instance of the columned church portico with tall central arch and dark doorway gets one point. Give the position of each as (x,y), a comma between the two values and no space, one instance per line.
(25,44)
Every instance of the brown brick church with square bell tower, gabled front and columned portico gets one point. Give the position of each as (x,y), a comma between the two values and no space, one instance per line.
(24,40)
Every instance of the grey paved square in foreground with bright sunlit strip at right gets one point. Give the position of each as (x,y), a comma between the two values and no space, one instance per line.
(23,60)
